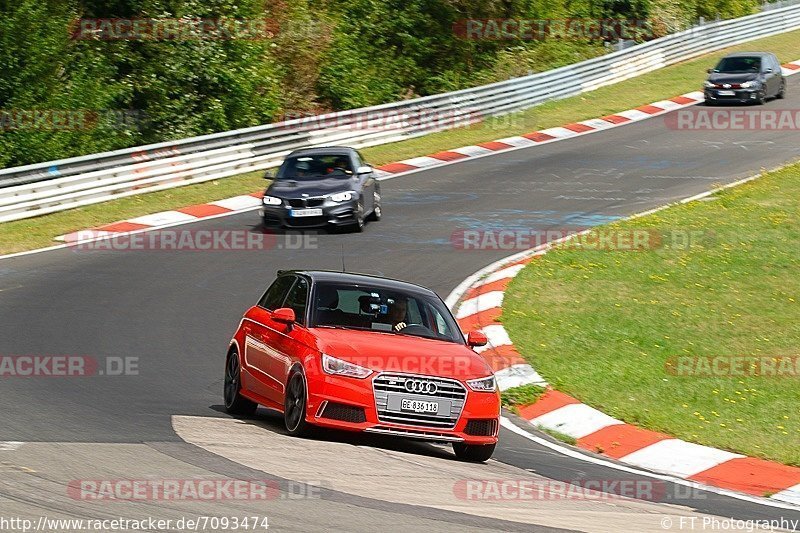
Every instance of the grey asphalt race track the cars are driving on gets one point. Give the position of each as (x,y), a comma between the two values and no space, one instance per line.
(176,311)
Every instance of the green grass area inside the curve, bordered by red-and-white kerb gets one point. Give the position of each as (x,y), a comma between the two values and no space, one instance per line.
(603,325)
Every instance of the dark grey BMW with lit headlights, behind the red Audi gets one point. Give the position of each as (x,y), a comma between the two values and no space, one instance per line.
(322,187)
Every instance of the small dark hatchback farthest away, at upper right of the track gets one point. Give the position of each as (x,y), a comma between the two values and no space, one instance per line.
(745,77)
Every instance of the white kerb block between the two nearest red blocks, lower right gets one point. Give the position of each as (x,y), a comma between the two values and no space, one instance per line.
(678,458)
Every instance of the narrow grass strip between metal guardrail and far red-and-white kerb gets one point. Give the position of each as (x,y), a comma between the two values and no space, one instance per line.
(659,85)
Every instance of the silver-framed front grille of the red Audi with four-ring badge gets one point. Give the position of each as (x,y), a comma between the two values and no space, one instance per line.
(446,390)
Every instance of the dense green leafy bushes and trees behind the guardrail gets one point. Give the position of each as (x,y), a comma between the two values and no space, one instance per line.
(327,55)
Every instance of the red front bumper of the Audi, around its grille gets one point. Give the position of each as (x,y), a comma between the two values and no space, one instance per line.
(350,404)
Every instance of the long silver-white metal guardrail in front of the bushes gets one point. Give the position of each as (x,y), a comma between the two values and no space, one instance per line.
(58,185)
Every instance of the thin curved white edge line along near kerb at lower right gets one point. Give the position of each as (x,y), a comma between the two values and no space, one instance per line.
(574,454)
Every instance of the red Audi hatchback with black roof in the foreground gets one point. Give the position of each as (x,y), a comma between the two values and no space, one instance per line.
(363,353)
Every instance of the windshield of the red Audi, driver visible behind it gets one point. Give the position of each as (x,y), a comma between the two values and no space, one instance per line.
(379,309)
